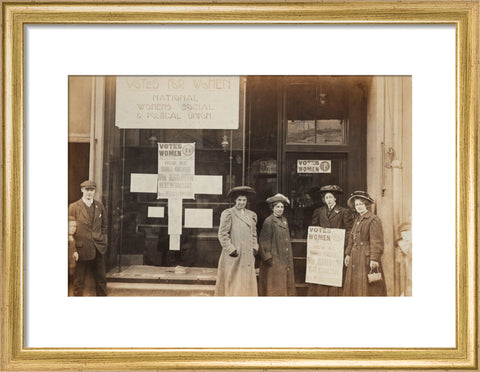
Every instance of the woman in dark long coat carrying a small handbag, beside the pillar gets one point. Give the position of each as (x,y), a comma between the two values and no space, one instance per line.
(364,251)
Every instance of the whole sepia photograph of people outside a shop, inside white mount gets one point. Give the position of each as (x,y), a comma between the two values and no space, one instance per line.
(240,185)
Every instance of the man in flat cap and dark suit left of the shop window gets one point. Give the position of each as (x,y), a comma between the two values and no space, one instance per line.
(90,239)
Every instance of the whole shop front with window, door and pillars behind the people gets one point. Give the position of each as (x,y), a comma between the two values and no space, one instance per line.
(166,157)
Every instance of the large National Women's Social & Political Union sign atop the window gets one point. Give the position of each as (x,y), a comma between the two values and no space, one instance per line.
(177,102)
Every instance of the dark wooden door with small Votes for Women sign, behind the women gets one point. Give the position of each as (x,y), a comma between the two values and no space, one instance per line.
(323,124)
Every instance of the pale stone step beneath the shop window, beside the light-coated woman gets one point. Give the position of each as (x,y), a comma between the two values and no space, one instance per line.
(158,289)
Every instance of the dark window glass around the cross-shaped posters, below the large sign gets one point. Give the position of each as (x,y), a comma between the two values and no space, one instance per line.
(146,218)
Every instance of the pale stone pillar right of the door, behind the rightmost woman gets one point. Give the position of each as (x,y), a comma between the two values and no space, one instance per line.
(389,167)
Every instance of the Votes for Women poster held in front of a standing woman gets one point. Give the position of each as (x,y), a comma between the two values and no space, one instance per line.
(325,256)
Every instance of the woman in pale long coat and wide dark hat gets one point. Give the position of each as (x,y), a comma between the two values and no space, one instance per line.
(237,234)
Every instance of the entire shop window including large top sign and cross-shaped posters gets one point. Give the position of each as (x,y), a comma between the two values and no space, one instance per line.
(141,221)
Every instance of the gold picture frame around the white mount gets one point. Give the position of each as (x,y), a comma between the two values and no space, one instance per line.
(463,14)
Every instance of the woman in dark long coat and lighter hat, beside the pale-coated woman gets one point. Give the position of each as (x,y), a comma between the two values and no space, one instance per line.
(276,265)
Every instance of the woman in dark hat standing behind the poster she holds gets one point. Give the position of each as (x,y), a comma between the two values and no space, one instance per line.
(331,216)
